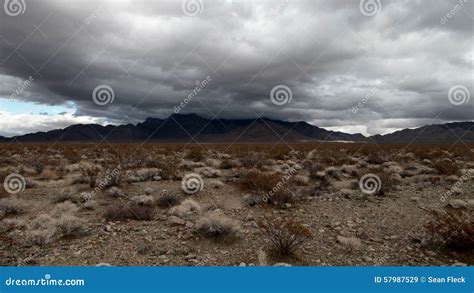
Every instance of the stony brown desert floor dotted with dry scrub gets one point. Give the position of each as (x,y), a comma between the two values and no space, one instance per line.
(146,205)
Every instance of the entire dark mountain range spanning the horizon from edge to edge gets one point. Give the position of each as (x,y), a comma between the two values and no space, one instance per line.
(183,128)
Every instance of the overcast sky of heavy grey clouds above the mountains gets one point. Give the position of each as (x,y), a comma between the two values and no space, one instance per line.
(354,66)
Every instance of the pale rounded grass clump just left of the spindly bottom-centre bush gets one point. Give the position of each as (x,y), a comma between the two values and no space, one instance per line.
(214,224)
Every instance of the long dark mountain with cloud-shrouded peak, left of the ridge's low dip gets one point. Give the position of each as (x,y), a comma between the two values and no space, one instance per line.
(193,128)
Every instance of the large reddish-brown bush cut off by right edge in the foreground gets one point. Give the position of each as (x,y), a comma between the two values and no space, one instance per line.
(453,227)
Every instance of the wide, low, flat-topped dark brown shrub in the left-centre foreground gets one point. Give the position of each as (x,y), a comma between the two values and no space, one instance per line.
(129,211)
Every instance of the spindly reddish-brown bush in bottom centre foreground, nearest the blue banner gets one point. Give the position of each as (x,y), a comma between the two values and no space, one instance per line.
(285,237)
